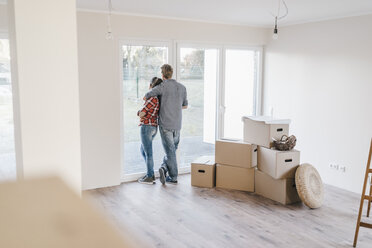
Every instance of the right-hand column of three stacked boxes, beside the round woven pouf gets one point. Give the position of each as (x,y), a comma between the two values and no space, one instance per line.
(275,175)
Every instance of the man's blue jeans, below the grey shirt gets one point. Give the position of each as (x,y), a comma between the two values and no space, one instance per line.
(170,140)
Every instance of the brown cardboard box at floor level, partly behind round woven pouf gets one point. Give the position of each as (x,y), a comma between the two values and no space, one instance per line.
(280,190)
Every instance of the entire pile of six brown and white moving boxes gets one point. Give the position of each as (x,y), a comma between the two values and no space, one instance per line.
(251,165)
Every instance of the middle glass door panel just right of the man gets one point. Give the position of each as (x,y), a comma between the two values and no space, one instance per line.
(198,71)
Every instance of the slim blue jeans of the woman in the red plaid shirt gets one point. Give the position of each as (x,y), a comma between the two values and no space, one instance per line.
(147,135)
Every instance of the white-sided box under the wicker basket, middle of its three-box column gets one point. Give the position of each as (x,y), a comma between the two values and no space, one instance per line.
(278,164)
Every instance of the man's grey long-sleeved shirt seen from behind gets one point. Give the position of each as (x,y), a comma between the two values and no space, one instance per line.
(173,97)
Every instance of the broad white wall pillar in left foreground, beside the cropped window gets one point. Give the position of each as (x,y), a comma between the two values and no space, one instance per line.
(43,39)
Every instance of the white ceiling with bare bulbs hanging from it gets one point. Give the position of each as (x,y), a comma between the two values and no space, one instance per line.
(242,12)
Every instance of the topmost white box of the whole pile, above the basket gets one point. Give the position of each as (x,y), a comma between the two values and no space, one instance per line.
(261,130)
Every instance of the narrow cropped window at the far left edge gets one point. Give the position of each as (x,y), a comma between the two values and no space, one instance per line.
(7,150)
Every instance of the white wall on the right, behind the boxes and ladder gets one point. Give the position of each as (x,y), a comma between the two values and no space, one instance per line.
(320,76)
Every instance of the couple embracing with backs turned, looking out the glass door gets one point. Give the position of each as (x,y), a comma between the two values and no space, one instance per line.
(163,106)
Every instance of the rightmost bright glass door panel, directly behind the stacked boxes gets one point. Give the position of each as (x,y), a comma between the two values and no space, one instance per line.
(241,90)
